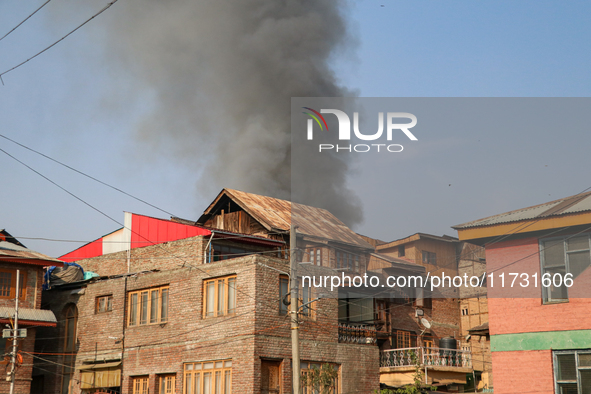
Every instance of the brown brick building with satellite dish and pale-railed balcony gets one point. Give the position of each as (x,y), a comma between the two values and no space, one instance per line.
(433,255)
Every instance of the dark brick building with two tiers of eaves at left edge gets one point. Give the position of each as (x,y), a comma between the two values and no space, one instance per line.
(15,256)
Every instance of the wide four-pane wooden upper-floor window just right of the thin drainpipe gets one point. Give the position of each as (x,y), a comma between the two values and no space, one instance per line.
(138,308)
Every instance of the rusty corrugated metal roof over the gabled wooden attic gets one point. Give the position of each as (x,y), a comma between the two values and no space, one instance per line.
(276,215)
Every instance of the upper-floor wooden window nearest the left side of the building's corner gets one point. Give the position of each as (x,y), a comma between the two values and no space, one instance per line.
(219,296)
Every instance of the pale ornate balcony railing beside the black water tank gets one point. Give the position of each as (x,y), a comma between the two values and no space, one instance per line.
(426,356)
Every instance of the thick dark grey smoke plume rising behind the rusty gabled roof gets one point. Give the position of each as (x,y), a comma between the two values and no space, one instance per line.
(218,77)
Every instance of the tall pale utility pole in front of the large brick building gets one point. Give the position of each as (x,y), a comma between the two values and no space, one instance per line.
(293,310)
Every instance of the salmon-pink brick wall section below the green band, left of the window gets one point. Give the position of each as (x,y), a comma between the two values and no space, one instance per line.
(524,372)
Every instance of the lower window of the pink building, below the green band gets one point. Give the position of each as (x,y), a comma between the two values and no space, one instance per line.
(572,371)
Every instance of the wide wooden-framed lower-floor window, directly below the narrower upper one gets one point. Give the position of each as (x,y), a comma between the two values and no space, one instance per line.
(213,377)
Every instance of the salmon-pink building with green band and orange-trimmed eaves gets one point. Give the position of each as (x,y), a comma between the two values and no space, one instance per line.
(540,334)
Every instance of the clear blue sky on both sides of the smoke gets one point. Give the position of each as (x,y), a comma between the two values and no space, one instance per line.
(64,103)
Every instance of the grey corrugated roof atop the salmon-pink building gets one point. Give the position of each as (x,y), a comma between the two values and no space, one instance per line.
(568,205)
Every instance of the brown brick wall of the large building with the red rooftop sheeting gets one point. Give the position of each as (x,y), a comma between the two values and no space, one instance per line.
(256,332)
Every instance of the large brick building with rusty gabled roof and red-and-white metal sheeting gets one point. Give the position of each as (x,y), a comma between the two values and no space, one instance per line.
(185,307)
